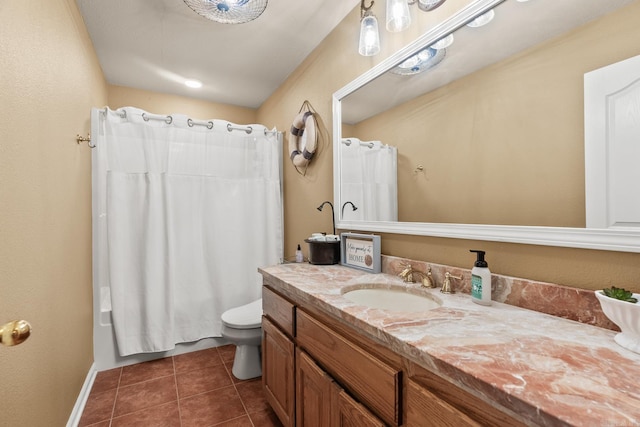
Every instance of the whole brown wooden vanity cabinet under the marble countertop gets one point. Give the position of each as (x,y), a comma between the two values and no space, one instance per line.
(316,371)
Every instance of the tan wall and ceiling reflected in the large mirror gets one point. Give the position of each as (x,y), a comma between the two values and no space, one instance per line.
(490,140)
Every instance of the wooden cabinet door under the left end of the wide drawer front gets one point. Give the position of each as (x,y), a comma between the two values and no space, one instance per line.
(313,393)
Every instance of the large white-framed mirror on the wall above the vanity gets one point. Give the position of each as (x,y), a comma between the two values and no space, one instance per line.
(486,135)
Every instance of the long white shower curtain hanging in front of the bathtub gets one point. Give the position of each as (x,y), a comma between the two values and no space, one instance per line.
(186,212)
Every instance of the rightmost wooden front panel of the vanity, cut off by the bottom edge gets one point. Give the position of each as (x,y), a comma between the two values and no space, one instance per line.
(425,408)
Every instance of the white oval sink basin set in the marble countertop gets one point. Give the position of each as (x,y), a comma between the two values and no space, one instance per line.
(391,299)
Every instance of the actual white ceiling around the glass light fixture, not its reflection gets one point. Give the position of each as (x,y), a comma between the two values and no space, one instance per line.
(158,44)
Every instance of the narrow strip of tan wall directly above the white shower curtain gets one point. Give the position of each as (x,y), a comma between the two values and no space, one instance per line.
(160,103)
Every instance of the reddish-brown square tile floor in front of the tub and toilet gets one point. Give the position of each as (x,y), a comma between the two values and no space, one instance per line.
(190,390)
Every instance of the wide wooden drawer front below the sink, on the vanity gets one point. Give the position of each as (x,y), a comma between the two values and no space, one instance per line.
(371,381)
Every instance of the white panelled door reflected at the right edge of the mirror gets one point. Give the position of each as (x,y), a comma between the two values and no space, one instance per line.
(612,145)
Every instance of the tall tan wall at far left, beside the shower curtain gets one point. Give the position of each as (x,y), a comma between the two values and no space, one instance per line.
(49,80)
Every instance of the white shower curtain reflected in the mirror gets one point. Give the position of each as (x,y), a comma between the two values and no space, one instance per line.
(369,175)
